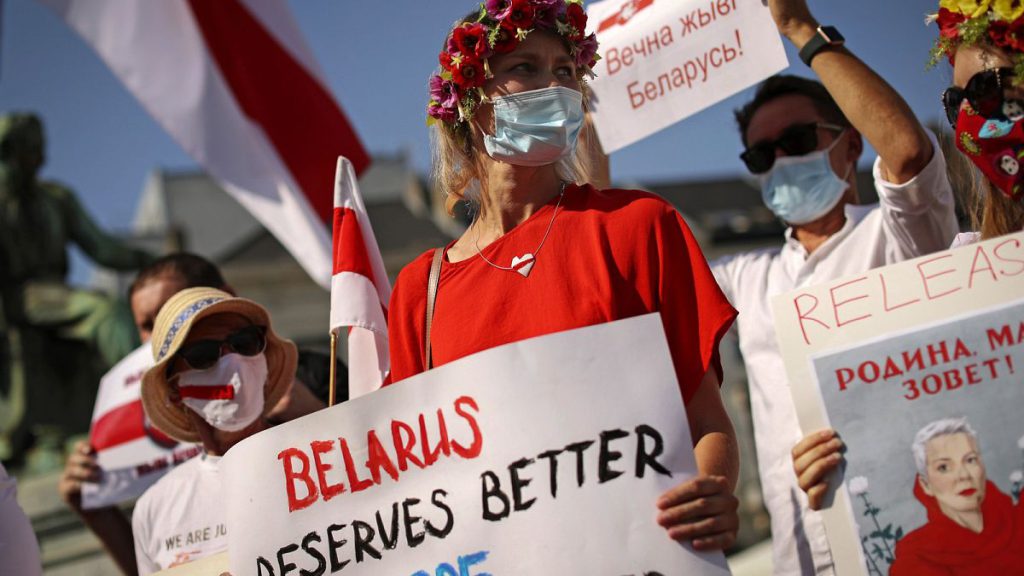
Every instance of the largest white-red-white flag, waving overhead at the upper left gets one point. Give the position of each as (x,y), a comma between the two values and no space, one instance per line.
(234,83)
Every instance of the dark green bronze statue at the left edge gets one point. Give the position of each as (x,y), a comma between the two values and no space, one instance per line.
(56,341)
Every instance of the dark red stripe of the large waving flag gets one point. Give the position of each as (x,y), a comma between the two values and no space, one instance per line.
(298,115)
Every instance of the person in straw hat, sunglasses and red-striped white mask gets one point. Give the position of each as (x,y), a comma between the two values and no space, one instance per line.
(220,369)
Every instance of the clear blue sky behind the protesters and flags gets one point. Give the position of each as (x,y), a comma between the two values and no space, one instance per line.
(377,57)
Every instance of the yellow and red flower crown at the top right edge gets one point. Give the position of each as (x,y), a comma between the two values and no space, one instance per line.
(1000,23)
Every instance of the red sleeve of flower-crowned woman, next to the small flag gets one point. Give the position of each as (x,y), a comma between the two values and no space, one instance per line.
(407,319)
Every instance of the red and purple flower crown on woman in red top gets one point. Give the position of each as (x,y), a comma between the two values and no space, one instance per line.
(500,27)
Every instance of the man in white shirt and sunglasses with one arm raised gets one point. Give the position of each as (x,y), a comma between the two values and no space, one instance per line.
(802,141)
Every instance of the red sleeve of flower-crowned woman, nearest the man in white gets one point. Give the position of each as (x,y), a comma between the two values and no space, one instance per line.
(695,311)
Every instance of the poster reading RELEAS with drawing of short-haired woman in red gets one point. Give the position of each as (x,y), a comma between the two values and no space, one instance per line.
(902,351)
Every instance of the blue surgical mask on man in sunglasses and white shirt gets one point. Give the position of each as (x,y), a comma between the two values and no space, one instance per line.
(802,189)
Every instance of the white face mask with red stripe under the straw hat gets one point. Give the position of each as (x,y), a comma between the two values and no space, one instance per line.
(230,396)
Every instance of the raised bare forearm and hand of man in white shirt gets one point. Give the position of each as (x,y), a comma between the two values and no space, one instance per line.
(874,108)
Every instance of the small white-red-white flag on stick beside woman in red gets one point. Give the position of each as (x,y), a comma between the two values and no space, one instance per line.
(360,289)
